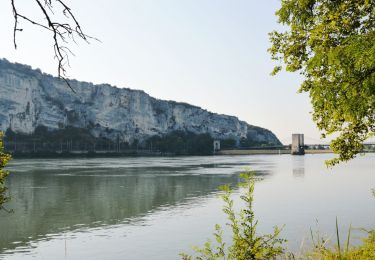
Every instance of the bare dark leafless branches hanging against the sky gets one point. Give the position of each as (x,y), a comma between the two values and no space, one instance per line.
(63,31)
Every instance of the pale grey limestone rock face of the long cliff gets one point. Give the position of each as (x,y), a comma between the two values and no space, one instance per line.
(30,98)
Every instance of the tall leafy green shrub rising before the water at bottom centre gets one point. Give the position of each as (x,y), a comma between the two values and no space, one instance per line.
(246,243)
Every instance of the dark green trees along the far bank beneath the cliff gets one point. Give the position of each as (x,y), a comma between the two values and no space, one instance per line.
(78,140)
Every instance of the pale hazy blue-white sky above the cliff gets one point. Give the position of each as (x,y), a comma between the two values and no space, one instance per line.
(210,53)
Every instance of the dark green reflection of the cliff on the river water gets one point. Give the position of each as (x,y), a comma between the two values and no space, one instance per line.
(51,196)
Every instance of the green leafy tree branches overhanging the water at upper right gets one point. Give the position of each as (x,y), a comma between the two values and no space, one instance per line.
(331,43)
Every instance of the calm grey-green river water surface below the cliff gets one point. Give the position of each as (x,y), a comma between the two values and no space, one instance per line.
(155,208)
